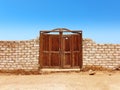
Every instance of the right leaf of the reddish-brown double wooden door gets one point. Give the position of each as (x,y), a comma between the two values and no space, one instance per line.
(72,51)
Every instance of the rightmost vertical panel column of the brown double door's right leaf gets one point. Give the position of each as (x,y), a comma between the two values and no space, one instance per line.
(76,50)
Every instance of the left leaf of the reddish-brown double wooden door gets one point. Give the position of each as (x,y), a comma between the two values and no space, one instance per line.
(50,54)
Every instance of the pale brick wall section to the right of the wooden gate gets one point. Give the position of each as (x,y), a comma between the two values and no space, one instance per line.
(105,55)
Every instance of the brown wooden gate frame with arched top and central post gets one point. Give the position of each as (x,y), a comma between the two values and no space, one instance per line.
(60,32)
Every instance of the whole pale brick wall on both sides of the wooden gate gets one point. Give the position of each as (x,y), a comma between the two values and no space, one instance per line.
(24,55)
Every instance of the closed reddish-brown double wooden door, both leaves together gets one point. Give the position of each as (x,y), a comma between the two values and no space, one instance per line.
(60,51)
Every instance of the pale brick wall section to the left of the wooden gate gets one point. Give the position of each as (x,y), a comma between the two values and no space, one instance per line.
(16,55)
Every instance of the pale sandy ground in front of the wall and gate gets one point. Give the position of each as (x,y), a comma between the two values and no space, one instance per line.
(61,81)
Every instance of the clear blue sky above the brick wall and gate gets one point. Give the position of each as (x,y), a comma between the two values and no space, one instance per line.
(23,19)
